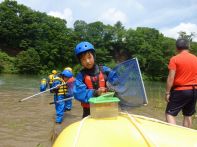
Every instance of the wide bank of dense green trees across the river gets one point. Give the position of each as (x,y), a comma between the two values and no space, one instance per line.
(39,43)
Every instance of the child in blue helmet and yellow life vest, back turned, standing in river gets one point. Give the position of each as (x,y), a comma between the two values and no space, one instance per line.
(61,92)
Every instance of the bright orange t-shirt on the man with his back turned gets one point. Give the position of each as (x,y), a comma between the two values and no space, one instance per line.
(185,65)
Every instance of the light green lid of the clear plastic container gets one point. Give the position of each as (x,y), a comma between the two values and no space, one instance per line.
(105,98)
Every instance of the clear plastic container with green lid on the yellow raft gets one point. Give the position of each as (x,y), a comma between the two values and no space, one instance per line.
(104,106)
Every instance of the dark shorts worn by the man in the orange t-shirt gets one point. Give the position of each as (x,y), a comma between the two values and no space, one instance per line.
(184,100)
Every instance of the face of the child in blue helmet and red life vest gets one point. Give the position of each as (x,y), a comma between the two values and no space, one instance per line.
(87,60)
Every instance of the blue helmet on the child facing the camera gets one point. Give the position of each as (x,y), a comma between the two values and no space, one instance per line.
(83,47)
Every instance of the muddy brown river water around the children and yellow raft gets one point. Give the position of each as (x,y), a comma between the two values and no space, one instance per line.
(31,123)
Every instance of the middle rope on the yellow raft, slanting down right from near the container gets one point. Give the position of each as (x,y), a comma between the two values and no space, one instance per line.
(147,139)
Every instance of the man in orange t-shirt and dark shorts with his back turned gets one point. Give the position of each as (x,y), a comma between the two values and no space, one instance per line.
(181,86)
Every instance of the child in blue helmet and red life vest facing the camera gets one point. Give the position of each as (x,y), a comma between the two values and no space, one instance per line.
(91,80)
